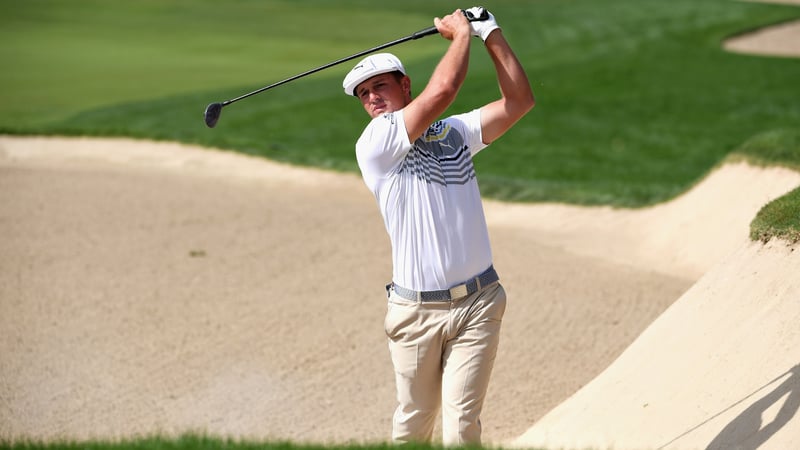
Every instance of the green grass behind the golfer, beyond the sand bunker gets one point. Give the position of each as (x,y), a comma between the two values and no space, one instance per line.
(636,100)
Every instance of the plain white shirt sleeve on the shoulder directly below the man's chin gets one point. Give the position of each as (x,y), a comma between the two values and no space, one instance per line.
(382,146)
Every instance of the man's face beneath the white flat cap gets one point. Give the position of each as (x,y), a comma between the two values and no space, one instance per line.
(384,93)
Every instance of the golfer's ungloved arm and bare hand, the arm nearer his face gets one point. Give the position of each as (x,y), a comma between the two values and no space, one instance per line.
(446,80)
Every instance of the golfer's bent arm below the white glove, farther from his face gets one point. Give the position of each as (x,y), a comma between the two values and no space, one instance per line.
(517,98)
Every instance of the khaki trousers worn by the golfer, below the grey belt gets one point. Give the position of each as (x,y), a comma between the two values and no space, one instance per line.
(443,354)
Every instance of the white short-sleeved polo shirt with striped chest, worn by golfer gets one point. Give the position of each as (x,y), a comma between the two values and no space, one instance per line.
(429,198)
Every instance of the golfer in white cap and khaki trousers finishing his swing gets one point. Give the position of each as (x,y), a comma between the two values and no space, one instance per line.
(445,303)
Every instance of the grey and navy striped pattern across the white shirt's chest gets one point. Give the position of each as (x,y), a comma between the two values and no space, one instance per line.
(440,156)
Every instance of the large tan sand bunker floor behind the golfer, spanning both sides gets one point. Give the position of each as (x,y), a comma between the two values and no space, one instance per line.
(153,287)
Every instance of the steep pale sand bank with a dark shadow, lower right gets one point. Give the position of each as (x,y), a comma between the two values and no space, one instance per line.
(720,369)
